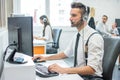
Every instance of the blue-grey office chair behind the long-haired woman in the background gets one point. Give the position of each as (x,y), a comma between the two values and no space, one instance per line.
(55,44)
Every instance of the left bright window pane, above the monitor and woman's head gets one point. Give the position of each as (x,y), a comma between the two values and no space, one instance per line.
(33,8)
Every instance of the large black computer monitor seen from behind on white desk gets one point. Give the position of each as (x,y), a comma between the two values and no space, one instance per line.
(20,31)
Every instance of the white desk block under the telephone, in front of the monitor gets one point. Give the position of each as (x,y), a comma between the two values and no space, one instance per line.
(20,71)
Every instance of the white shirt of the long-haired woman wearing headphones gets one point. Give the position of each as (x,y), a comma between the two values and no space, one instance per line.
(48,34)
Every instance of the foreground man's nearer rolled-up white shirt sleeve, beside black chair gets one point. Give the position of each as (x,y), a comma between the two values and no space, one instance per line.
(95,52)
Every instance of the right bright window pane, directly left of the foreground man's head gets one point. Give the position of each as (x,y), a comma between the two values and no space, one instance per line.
(60,12)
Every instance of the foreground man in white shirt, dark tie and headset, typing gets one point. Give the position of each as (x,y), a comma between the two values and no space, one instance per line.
(95,47)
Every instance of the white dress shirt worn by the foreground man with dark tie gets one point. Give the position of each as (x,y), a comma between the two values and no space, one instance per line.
(95,49)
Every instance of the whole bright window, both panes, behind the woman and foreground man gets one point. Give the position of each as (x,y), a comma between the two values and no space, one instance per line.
(58,13)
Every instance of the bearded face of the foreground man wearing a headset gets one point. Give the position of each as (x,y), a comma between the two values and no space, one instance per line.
(75,17)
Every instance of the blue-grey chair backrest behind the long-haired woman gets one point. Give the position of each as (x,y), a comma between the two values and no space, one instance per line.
(56,37)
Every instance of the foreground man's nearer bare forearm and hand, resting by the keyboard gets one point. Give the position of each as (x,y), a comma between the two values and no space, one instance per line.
(85,70)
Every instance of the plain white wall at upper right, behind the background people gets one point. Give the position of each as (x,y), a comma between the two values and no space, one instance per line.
(107,7)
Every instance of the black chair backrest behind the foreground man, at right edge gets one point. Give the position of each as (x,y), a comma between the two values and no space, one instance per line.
(111,52)
